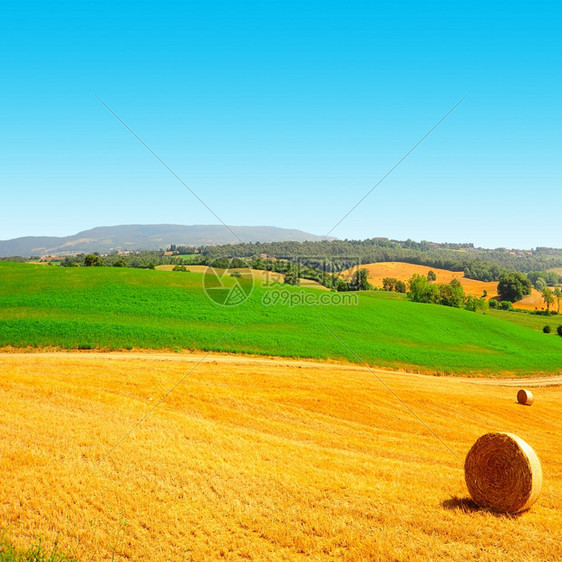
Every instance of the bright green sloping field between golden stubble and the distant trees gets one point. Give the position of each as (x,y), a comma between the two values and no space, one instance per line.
(114,308)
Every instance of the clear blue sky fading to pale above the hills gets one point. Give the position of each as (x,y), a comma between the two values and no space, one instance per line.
(285,113)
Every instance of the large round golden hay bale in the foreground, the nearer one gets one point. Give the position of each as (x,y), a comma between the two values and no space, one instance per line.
(503,473)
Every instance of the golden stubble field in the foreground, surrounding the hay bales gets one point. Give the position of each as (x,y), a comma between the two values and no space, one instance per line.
(262,459)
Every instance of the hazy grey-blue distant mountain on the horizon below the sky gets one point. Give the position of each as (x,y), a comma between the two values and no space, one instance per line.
(106,239)
